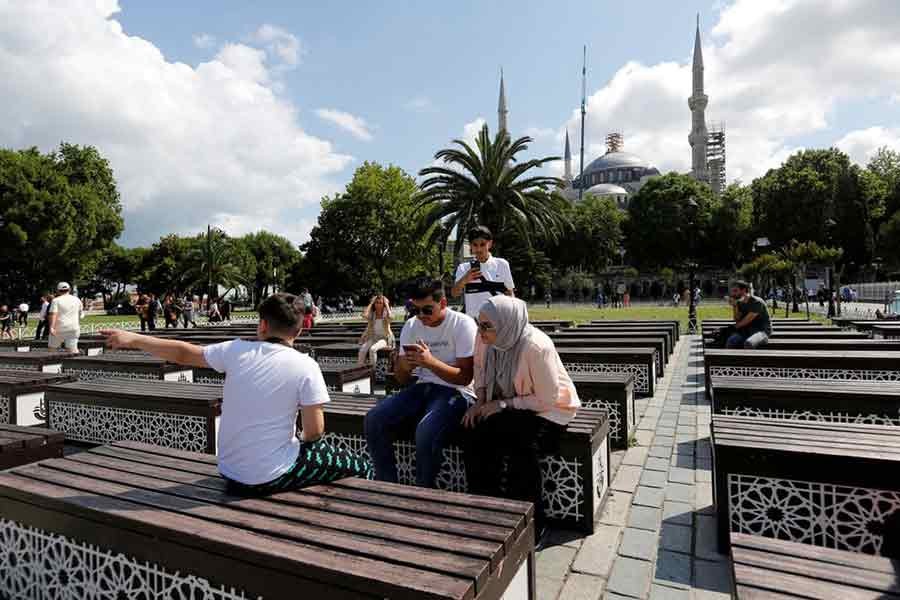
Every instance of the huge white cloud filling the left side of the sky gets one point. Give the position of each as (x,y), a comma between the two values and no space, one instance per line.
(189,145)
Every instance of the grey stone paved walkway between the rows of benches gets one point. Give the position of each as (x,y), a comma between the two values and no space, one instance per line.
(656,536)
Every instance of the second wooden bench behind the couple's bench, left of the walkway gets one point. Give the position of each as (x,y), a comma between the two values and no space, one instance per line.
(639,362)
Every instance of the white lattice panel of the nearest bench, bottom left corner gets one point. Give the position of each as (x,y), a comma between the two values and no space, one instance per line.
(35,565)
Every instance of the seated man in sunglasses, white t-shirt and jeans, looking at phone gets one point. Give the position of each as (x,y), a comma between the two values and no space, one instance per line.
(437,345)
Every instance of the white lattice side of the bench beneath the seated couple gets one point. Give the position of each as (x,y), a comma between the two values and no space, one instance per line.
(563,487)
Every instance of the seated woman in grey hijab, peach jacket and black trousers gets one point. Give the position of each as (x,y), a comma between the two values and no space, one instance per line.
(525,400)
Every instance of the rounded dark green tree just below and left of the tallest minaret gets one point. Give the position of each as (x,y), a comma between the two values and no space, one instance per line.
(663,229)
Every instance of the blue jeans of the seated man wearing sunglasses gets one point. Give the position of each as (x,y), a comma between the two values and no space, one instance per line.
(437,411)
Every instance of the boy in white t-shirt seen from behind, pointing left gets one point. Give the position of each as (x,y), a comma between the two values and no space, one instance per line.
(267,382)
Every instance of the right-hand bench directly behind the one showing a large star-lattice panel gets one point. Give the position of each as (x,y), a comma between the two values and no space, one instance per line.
(874,402)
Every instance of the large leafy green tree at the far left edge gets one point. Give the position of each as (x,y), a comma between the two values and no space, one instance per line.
(59,213)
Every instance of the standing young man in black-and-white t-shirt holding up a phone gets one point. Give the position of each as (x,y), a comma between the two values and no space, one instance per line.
(484,276)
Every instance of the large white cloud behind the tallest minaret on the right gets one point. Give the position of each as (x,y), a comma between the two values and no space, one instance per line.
(775,71)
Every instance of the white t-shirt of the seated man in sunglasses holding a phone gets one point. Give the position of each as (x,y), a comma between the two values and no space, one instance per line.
(454,338)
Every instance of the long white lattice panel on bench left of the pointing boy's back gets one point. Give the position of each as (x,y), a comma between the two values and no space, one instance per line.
(106,424)
